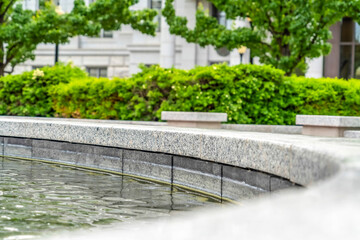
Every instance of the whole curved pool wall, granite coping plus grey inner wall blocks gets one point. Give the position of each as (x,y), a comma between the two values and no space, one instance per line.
(219,162)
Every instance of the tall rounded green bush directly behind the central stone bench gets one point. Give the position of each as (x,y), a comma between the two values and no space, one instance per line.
(247,93)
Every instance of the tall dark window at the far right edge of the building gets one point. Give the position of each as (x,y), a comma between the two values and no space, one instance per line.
(349,49)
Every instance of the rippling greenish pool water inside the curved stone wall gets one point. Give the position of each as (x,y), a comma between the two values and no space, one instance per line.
(37,199)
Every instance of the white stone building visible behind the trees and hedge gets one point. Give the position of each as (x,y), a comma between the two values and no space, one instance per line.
(118,53)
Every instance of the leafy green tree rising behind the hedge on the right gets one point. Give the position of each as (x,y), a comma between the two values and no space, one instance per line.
(282,33)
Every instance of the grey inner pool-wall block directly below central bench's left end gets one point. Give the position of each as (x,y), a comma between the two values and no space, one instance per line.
(146,164)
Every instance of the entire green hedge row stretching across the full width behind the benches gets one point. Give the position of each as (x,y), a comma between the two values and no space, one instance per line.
(248,93)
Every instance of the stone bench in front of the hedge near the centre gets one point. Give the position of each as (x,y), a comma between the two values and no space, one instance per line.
(194,119)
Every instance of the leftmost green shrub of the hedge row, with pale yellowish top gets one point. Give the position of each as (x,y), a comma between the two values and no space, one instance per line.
(27,94)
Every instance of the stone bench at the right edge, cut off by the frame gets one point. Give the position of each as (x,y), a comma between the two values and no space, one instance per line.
(327,126)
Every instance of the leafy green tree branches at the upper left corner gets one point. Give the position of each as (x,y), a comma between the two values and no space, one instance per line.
(22,30)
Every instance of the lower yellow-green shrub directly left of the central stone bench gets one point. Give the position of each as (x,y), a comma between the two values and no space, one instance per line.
(136,98)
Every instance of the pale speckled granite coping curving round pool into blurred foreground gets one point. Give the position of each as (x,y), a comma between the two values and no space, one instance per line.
(329,209)
